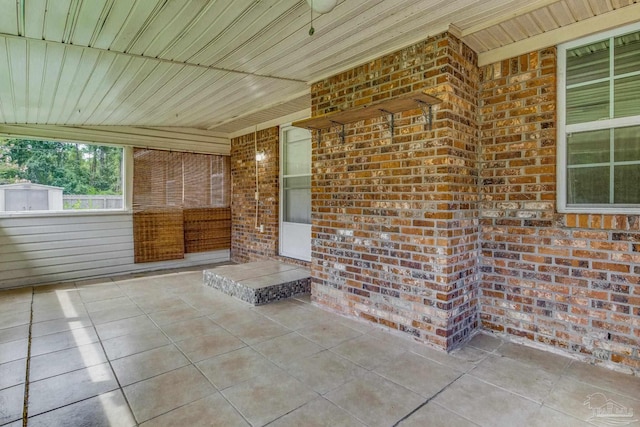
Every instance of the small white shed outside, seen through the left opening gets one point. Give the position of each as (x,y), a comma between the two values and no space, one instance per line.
(26,196)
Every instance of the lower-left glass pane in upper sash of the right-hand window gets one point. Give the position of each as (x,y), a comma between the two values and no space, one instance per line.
(588,103)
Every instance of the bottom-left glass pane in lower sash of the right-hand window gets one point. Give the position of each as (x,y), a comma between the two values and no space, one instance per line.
(588,185)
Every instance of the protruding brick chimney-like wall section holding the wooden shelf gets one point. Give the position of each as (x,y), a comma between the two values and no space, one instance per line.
(395,226)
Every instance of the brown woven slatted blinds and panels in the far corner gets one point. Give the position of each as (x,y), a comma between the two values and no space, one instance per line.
(180,204)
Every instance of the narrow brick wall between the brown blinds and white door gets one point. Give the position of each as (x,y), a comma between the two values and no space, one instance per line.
(247,243)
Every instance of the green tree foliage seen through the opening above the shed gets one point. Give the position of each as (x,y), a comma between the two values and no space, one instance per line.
(78,168)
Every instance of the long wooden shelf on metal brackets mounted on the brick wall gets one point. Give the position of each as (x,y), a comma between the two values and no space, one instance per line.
(401,103)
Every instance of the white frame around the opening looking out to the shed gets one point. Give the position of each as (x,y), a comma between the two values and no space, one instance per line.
(127,186)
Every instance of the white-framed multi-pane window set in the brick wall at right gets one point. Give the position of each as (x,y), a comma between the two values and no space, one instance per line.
(599,123)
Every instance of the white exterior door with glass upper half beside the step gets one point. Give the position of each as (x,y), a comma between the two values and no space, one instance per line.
(295,193)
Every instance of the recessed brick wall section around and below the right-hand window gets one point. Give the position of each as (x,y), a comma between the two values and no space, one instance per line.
(569,281)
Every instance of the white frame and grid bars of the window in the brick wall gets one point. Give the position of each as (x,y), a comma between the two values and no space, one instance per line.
(564,129)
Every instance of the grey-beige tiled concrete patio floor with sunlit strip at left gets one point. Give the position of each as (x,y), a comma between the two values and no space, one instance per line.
(165,350)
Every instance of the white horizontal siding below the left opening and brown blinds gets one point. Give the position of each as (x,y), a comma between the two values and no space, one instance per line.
(45,249)
